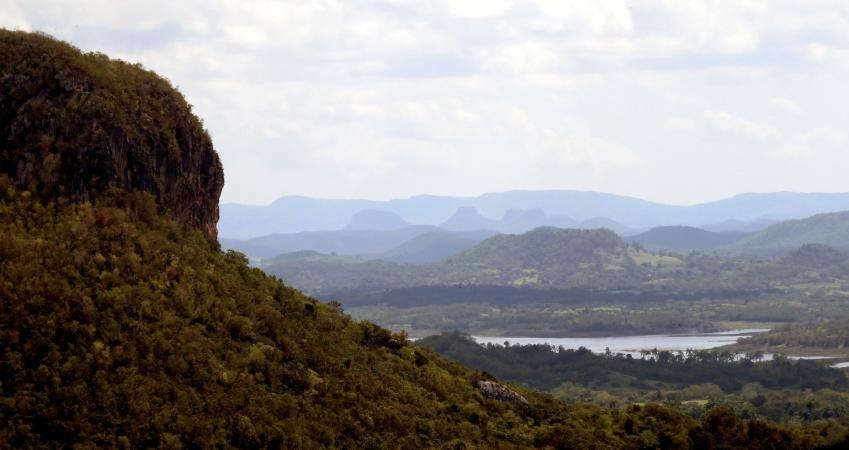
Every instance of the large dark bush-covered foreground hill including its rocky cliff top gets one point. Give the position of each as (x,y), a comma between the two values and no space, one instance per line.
(123,326)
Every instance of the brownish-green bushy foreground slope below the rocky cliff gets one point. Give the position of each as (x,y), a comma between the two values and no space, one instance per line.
(125,330)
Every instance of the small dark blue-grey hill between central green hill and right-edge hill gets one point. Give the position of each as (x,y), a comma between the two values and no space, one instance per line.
(682,239)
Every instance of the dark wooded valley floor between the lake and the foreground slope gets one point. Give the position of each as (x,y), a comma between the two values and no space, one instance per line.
(692,381)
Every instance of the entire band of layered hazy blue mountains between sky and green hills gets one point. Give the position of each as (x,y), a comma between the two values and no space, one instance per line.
(386,234)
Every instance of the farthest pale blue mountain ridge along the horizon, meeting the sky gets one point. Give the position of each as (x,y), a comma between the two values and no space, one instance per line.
(739,213)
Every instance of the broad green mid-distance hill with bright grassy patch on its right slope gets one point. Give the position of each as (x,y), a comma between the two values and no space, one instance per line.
(541,258)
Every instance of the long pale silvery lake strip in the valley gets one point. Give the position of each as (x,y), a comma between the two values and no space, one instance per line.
(633,344)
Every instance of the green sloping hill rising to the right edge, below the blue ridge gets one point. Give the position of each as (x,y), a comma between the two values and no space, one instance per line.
(827,229)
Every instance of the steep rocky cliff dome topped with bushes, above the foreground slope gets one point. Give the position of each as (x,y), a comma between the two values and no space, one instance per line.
(88,128)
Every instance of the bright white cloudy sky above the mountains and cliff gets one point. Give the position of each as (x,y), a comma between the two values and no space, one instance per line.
(675,101)
